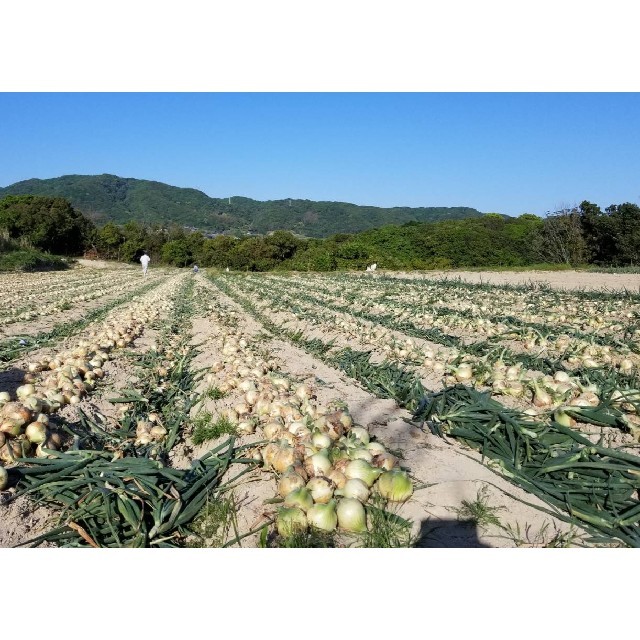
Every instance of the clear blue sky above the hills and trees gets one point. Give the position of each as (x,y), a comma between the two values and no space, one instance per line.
(506,152)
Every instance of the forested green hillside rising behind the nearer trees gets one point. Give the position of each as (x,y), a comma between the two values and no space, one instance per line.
(107,198)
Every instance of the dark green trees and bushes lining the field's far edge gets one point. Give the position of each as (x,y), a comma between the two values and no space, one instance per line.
(574,236)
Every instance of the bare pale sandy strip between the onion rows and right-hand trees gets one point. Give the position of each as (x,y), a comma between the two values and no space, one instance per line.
(556,279)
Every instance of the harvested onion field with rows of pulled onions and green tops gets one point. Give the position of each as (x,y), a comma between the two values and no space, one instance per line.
(316,410)
